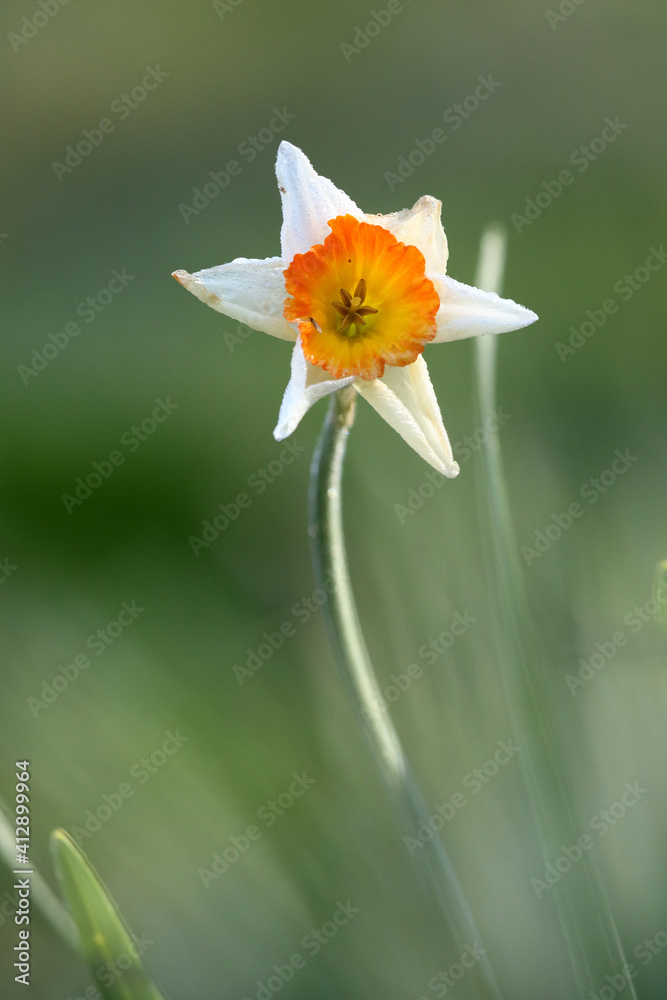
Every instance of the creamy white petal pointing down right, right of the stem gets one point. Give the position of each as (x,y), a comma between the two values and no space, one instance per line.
(404,397)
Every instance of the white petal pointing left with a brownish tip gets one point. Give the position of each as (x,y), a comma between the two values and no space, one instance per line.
(250,291)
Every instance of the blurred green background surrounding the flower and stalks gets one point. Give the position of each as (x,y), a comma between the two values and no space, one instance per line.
(67,574)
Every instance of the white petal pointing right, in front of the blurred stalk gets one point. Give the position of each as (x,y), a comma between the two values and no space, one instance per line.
(466,311)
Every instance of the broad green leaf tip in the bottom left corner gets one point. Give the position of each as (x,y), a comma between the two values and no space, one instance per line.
(105,941)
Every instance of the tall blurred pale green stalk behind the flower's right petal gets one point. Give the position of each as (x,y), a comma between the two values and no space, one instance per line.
(587,923)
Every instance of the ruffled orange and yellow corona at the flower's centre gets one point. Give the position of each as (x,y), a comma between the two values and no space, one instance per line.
(361,300)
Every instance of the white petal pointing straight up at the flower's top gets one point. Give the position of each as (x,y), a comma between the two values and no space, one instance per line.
(309,201)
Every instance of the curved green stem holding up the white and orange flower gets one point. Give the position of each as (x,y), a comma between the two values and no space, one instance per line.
(330,564)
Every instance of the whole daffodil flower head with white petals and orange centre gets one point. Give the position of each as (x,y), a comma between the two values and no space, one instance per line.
(359,296)
